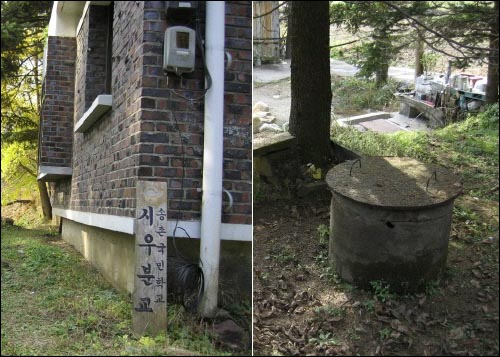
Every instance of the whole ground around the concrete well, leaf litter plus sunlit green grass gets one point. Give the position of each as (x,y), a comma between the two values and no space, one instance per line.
(300,305)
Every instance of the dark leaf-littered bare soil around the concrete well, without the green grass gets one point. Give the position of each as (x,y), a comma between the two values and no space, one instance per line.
(302,308)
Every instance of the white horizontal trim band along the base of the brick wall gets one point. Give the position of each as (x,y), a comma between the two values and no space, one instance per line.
(236,232)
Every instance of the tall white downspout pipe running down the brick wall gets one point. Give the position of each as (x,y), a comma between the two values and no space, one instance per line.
(212,156)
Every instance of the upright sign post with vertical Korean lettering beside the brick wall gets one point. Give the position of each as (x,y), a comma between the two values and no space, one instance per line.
(149,313)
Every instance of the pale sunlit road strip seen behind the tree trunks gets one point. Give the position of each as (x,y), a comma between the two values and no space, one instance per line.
(272,72)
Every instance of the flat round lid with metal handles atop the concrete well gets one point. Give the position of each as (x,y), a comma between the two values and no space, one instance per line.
(394,182)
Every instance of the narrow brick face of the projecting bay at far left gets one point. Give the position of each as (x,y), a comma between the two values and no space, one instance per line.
(56,126)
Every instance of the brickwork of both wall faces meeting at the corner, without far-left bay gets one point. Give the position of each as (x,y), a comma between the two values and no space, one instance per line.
(140,138)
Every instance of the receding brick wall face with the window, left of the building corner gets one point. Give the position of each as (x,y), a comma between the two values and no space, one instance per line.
(105,158)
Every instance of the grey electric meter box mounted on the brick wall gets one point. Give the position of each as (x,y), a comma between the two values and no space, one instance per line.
(179,50)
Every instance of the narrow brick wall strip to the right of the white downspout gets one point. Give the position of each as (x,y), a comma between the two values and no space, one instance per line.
(237,112)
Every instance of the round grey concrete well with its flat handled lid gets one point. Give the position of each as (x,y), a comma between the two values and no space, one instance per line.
(390,221)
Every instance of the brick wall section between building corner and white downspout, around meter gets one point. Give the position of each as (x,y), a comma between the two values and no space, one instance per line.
(161,149)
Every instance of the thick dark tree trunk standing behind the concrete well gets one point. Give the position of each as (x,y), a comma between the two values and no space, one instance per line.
(310,81)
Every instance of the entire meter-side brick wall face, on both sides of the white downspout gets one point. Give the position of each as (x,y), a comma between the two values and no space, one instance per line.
(161,149)
